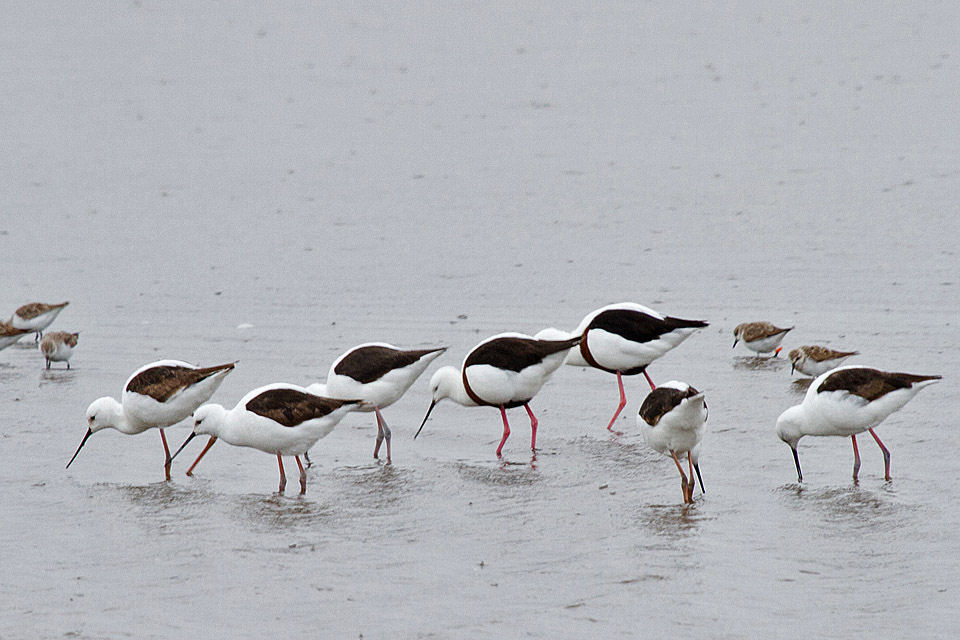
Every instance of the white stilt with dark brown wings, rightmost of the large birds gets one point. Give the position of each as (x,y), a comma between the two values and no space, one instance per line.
(848,401)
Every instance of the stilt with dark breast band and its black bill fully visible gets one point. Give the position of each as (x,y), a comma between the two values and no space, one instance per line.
(503,371)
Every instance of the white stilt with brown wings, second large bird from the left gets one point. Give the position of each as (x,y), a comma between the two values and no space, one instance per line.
(280,419)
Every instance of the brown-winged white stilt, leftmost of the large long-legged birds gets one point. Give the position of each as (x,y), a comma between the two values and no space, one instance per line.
(157,395)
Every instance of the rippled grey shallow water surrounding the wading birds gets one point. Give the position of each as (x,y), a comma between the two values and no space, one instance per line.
(275,184)
